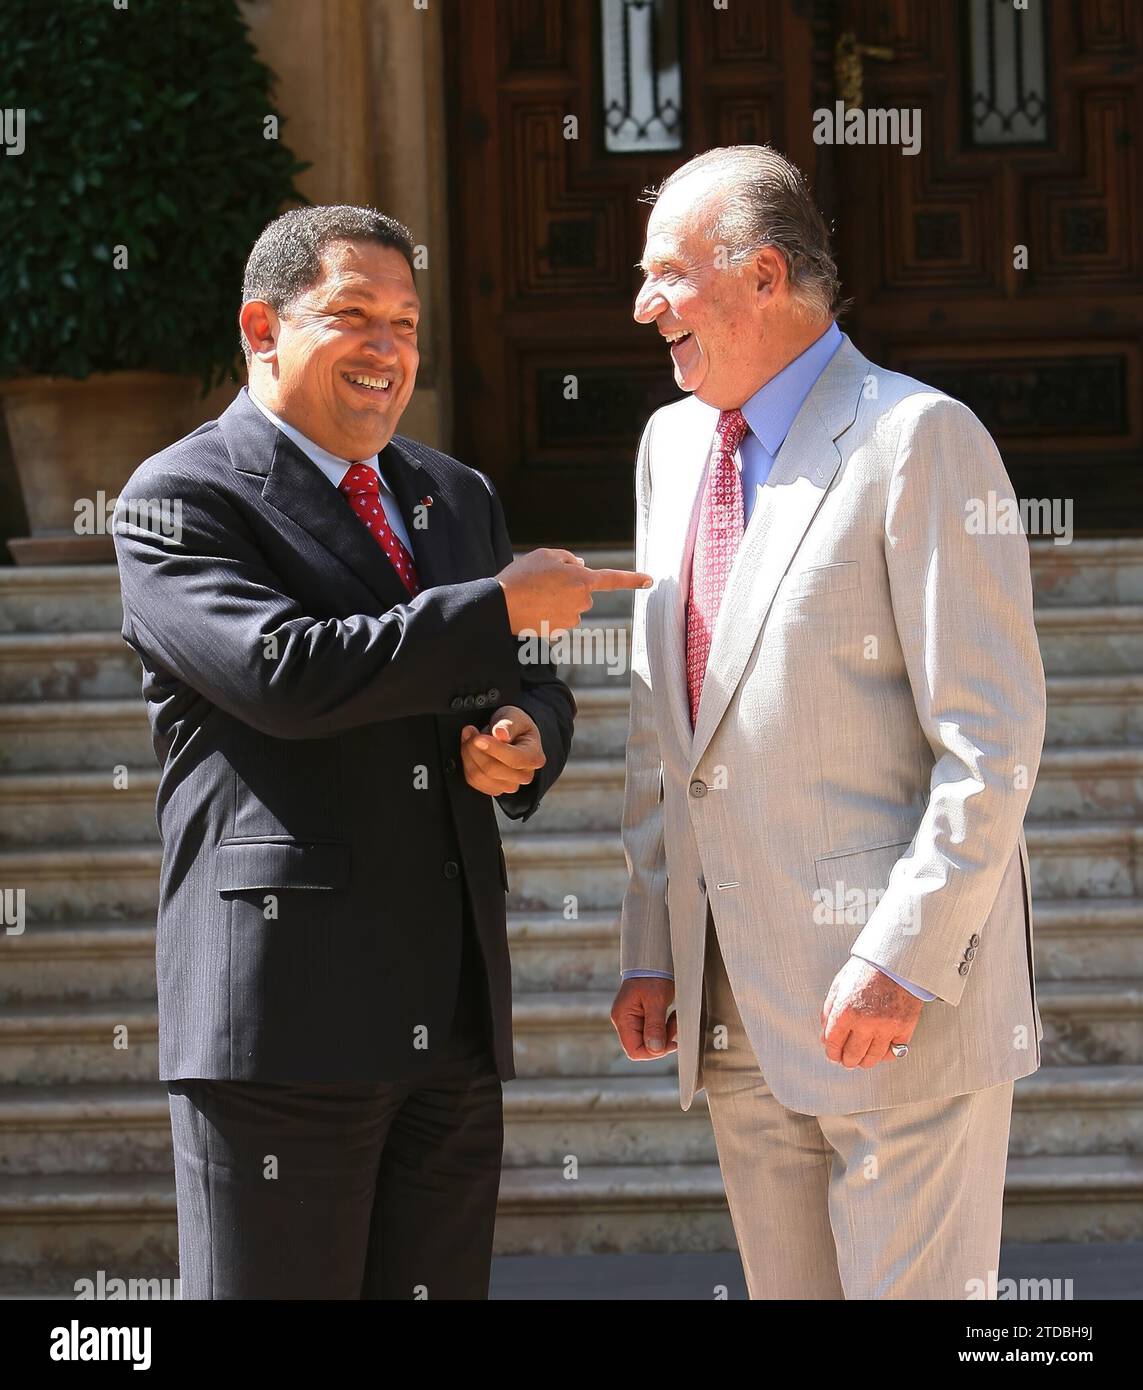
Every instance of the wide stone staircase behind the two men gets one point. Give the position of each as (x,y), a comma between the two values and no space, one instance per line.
(599,1156)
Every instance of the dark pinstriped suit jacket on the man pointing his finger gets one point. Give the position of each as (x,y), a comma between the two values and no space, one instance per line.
(319,837)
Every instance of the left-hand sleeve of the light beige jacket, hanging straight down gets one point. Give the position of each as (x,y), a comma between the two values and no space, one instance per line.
(645,936)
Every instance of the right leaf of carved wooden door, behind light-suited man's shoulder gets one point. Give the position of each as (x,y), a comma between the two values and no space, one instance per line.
(1005,261)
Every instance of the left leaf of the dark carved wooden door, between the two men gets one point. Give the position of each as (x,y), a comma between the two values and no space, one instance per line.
(553,105)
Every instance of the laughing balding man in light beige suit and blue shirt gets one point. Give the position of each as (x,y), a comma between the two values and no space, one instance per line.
(838,711)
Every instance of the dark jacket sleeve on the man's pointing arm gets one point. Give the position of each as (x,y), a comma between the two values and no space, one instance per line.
(208,610)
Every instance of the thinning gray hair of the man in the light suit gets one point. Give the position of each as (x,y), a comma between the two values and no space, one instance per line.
(768,204)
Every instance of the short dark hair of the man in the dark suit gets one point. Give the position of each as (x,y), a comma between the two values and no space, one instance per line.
(286,261)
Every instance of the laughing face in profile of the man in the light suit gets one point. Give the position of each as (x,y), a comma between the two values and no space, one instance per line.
(713,315)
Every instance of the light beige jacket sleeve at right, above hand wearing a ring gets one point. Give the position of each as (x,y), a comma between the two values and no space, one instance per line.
(963,610)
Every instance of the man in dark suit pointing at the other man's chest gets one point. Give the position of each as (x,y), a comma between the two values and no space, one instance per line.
(332,665)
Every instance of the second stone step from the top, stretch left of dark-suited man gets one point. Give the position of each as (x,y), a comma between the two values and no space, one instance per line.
(67,667)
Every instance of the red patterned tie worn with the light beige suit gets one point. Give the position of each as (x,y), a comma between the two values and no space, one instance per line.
(715,547)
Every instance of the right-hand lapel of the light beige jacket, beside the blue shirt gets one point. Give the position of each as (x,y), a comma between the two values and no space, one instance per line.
(800,477)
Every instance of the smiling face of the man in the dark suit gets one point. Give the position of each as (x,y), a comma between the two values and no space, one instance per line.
(341,362)
